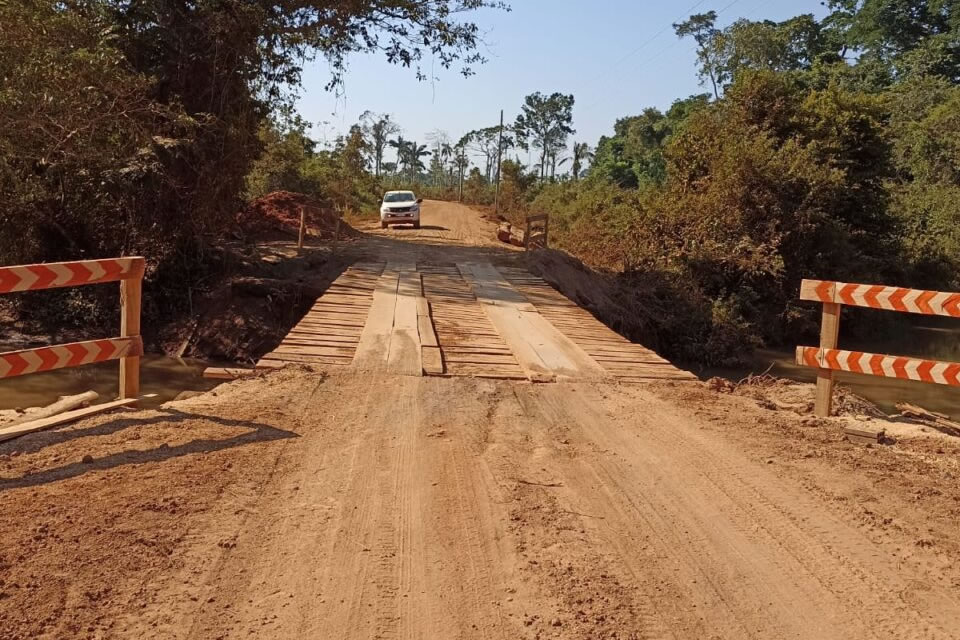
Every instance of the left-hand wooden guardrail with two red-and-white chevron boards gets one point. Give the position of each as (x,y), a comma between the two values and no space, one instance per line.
(127,347)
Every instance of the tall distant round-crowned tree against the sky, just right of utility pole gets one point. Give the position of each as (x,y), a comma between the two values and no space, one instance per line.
(545,122)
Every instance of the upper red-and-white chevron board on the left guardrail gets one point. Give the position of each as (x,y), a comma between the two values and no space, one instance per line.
(33,277)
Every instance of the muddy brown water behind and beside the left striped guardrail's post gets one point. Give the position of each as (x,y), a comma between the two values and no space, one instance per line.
(160,375)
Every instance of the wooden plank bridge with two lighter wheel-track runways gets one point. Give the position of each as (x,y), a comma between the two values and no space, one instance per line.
(463,319)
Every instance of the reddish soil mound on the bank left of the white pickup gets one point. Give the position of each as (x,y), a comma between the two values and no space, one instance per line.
(279,212)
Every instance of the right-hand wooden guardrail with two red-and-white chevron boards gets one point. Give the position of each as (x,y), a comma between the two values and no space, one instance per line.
(827,358)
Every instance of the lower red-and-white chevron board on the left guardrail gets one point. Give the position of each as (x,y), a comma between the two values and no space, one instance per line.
(18,363)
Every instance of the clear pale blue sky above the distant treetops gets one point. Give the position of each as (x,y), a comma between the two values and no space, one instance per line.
(615,56)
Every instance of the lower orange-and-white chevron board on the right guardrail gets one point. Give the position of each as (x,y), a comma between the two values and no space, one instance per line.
(880,365)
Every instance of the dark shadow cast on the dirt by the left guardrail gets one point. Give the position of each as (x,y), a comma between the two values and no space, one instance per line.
(258,433)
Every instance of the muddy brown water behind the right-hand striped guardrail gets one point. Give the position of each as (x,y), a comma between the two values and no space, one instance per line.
(924,341)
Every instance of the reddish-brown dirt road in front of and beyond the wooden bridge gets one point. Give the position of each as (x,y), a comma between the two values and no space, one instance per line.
(312,504)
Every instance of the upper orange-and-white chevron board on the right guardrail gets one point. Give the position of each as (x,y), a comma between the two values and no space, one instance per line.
(938,303)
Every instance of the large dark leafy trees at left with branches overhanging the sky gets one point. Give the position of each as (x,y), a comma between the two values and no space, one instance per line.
(133,127)
